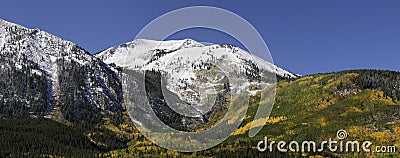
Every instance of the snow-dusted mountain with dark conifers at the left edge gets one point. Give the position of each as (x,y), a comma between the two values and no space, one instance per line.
(43,75)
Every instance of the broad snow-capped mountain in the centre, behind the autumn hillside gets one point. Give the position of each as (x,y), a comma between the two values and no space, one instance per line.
(198,74)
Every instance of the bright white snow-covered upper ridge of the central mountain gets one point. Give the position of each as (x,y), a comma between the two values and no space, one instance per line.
(143,53)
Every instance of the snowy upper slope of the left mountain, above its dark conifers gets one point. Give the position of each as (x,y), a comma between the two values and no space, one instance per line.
(39,46)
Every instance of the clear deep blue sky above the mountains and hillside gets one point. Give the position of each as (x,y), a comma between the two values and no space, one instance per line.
(304,37)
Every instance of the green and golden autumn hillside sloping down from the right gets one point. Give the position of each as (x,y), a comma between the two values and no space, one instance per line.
(362,102)
